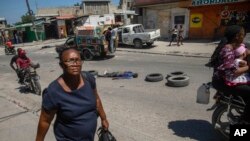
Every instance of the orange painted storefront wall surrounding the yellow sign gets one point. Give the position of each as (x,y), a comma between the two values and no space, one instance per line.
(212,19)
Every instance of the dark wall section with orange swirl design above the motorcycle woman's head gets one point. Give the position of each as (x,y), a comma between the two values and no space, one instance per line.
(232,17)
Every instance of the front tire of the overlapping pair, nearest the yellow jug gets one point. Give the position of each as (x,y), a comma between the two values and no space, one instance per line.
(178,81)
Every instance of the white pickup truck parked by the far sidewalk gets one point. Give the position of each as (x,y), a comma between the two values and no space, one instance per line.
(136,35)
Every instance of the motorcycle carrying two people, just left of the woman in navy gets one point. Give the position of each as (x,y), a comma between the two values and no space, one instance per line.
(31,79)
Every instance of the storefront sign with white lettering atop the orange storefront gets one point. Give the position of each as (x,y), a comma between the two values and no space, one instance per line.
(209,2)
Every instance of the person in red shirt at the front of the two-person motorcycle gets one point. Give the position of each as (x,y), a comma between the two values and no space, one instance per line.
(23,64)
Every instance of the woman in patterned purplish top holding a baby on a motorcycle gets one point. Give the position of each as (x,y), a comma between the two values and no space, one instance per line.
(226,68)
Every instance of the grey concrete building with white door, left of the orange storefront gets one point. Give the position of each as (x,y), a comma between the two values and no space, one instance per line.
(163,14)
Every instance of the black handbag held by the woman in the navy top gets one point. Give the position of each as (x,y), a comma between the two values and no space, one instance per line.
(105,135)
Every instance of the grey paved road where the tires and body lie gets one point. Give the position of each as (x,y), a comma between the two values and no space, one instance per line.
(137,110)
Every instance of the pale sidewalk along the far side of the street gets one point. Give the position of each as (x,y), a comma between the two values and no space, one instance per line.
(196,48)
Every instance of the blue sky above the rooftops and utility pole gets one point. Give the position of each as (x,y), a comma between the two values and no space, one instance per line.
(12,10)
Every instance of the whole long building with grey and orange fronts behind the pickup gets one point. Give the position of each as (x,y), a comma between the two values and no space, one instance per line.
(201,19)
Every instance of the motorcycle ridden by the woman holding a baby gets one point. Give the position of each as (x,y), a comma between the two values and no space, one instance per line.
(227,110)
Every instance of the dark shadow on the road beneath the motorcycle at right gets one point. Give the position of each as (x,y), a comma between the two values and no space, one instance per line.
(200,130)
